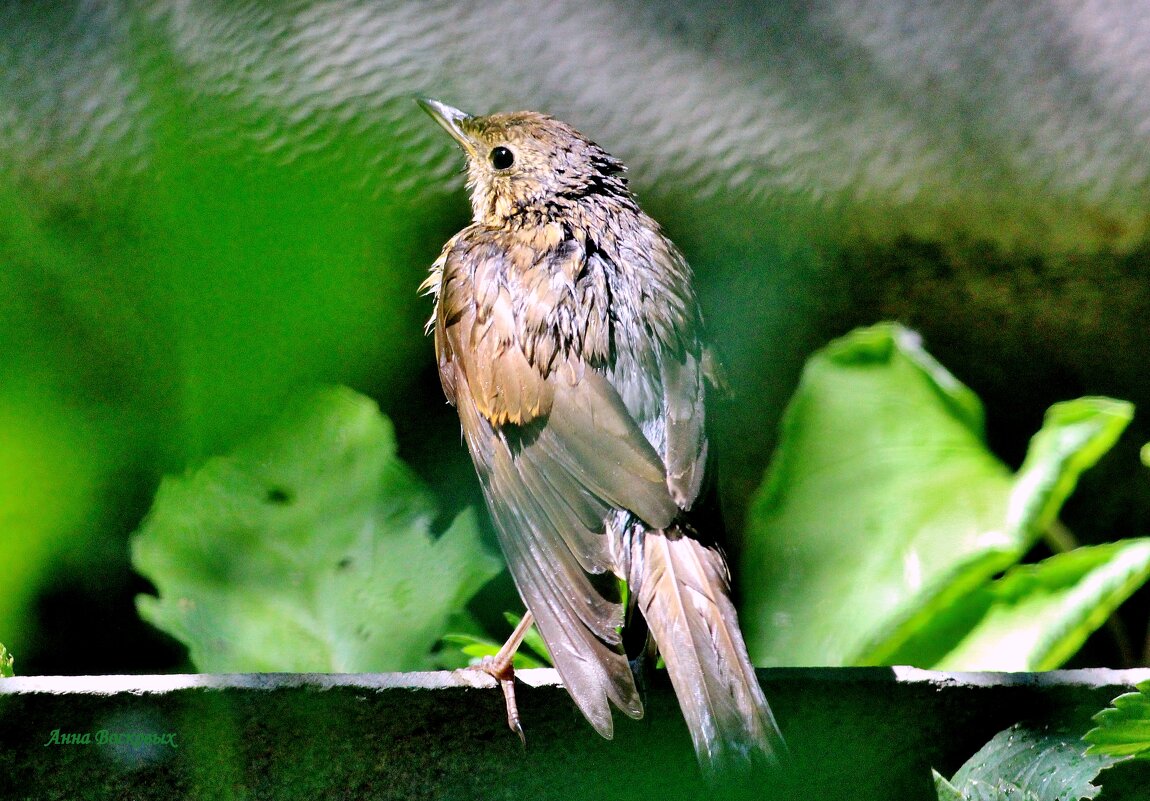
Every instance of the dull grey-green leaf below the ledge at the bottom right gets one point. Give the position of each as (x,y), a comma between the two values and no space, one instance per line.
(1021,765)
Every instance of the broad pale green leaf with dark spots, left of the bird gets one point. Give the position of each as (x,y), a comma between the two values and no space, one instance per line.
(308,550)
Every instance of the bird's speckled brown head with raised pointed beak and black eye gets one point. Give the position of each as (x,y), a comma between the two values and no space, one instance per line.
(524,163)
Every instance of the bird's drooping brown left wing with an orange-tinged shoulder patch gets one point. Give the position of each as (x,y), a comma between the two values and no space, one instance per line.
(556,453)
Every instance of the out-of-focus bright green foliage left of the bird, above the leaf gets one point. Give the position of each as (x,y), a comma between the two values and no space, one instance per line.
(158,320)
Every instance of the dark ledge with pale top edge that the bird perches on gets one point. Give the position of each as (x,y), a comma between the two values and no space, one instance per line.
(855,734)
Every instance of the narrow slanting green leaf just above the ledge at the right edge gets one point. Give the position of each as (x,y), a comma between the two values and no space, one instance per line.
(1037,617)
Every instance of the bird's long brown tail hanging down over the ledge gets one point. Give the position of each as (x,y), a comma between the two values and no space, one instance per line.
(684,591)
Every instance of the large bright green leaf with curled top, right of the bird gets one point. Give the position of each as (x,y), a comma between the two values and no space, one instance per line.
(884,506)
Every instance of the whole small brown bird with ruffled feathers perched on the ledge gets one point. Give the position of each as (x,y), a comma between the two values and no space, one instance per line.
(570,340)
